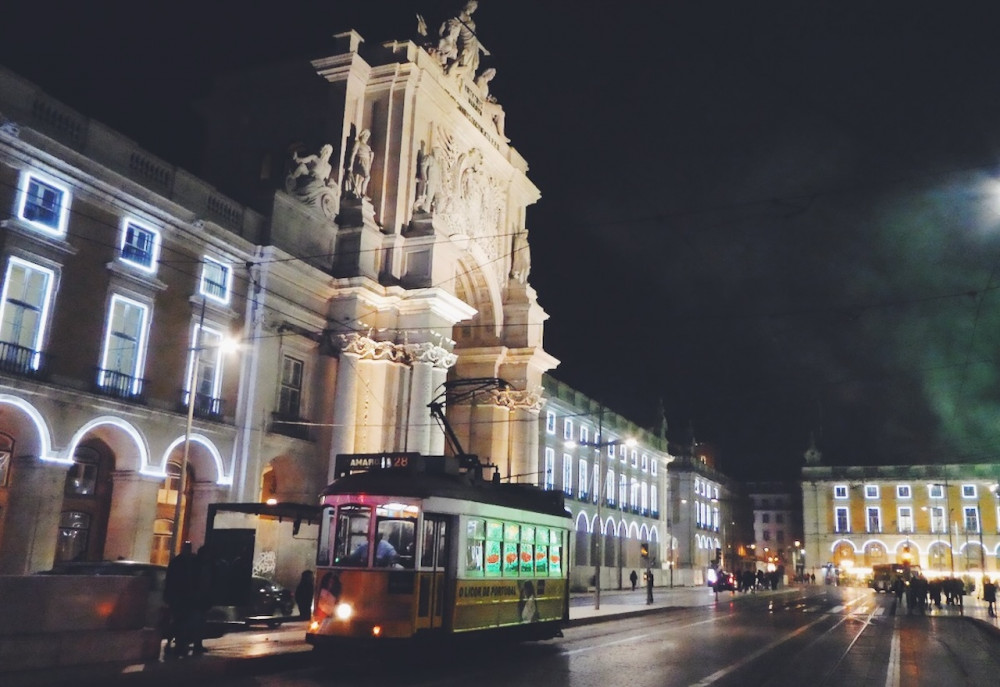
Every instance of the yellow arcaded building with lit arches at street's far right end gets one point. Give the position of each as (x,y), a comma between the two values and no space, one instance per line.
(943,518)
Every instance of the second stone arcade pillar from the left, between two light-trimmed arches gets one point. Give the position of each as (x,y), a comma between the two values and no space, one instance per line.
(133,511)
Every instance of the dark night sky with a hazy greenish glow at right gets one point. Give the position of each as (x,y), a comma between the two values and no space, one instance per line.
(776,219)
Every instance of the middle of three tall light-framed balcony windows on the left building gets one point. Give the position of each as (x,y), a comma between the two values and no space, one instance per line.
(124,347)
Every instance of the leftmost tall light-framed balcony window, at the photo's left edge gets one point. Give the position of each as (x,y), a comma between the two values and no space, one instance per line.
(27,289)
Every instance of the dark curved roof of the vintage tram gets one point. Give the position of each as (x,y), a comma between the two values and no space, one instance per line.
(421,484)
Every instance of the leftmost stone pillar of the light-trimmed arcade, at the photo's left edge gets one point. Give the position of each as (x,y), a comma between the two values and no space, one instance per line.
(31,524)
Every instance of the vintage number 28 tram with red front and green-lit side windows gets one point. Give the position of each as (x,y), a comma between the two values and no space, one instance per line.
(415,546)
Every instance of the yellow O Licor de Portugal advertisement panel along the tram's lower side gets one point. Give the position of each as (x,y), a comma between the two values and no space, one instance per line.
(501,602)
